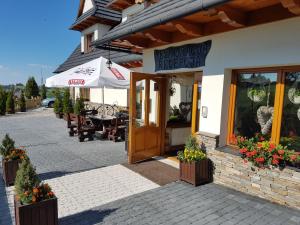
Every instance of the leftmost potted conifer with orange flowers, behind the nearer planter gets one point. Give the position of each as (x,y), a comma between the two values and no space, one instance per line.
(11,157)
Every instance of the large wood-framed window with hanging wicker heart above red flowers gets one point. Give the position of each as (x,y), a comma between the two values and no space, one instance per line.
(266,101)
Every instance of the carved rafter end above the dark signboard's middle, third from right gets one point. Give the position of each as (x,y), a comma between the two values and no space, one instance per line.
(190,29)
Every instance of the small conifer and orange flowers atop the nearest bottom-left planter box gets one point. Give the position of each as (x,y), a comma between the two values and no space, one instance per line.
(28,186)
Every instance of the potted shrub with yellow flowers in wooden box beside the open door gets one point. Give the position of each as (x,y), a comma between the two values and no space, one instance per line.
(194,164)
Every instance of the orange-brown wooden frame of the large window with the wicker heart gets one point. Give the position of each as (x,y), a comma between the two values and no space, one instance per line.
(278,102)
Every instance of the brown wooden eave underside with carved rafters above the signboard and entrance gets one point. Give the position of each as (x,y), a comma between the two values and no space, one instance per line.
(233,15)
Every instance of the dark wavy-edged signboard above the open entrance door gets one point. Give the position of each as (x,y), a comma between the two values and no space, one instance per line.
(186,56)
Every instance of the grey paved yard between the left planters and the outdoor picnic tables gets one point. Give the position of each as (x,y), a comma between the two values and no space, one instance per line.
(52,151)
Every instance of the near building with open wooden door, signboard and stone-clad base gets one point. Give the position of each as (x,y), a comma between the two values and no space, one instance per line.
(238,64)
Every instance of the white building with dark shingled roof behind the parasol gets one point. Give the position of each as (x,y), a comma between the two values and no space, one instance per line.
(93,21)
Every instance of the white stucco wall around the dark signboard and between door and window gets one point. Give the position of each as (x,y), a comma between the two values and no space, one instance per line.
(273,44)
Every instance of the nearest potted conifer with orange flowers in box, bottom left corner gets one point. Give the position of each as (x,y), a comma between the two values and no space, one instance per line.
(33,198)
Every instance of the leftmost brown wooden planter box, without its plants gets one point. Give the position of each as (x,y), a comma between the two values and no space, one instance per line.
(10,169)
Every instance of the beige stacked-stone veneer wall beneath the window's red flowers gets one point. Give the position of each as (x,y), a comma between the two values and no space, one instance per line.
(280,186)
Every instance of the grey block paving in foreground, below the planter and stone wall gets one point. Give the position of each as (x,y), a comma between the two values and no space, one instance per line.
(181,203)
